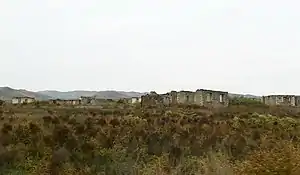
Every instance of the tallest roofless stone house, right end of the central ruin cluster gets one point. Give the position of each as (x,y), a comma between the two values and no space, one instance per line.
(211,98)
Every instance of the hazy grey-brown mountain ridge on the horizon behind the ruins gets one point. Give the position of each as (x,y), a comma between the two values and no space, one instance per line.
(7,93)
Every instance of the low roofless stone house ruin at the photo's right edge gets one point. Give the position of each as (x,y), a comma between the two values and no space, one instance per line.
(285,100)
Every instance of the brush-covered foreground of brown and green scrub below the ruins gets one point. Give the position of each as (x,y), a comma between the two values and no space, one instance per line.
(124,140)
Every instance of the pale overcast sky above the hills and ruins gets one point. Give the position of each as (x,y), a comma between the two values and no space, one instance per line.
(244,46)
